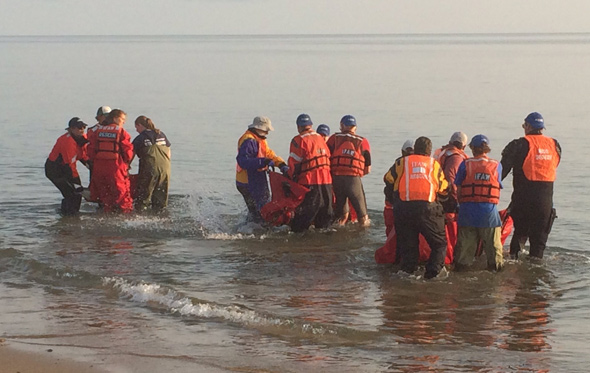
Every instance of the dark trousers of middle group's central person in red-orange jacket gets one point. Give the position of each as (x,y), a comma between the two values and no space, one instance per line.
(316,209)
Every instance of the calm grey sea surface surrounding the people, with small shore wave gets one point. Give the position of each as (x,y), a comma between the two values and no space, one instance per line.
(198,291)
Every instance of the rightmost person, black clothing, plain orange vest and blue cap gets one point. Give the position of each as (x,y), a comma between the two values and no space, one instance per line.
(533,160)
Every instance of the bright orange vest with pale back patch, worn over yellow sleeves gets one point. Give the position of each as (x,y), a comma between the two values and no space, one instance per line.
(417,181)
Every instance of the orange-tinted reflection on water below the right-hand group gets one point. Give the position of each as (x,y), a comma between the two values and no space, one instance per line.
(507,311)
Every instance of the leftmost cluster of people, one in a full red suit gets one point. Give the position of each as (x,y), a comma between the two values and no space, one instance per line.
(107,150)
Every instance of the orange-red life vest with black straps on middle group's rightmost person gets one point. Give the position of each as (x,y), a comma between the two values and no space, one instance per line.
(347,158)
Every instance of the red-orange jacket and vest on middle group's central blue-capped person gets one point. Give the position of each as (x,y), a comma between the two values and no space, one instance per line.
(315,166)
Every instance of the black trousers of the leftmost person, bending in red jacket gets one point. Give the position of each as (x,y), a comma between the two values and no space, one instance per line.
(61,177)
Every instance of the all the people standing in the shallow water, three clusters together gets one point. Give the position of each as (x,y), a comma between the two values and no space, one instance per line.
(434,197)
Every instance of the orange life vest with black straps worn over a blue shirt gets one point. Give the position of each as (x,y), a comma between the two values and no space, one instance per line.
(481,183)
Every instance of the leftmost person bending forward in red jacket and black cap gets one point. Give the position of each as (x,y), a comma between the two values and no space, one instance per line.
(60,166)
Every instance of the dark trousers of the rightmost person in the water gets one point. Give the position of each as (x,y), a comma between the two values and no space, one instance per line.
(532,218)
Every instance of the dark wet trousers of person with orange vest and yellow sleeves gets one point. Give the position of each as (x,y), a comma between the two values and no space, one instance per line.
(420,217)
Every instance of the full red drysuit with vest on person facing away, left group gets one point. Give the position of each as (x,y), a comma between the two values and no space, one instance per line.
(111,152)
